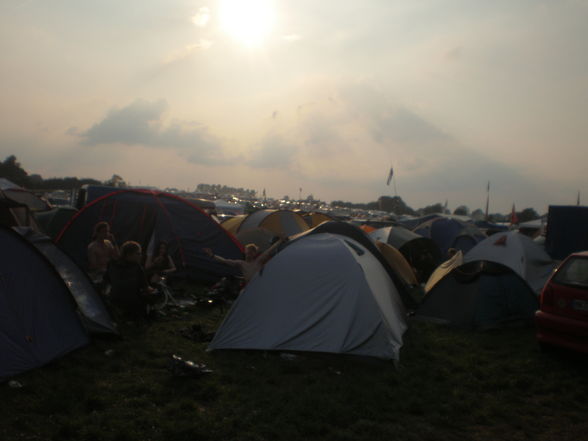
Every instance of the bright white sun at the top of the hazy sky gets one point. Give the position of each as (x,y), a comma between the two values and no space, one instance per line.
(249,22)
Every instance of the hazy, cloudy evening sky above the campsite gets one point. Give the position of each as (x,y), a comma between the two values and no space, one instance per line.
(324,96)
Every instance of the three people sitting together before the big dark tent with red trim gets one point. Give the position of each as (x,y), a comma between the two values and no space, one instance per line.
(131,282)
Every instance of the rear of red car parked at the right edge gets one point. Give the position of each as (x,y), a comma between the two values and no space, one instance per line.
(562,319)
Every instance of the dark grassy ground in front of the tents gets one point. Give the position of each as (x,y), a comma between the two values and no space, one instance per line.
(449,385)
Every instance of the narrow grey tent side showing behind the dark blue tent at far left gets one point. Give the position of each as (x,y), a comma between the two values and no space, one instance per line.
(94,314)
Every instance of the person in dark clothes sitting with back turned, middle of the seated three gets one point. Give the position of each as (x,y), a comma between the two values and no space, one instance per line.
(130,290)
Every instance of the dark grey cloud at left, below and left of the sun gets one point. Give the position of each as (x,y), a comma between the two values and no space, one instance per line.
(141,123)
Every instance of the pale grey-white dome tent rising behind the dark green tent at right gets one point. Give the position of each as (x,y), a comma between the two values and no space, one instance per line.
(519,253)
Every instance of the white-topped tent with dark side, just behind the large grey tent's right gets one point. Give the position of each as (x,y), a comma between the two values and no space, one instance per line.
(422,253)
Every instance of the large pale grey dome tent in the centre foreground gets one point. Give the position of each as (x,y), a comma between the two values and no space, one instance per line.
(323,293)
